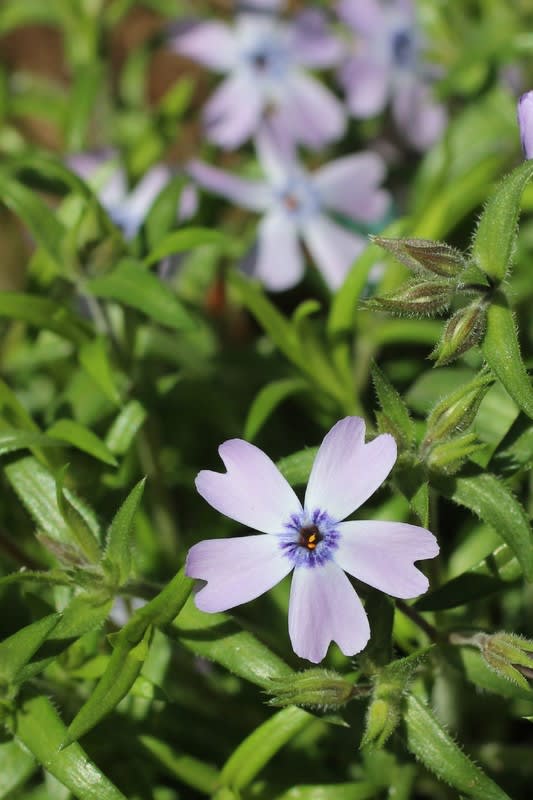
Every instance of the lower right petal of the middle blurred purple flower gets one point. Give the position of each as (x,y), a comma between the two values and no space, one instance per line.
(333,248)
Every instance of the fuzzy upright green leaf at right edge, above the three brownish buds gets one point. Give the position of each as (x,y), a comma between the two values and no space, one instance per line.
(495,238)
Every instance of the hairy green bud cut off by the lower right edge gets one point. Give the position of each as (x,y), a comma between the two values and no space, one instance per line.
(508,654)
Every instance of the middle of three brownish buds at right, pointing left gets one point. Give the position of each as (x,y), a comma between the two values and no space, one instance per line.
(420,299)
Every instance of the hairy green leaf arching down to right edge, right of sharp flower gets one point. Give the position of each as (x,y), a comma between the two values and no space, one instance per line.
(492,502)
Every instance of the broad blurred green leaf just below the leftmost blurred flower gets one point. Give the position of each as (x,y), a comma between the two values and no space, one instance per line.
(130,283)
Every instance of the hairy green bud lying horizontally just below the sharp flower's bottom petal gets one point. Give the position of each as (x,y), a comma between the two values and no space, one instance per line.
(316,688)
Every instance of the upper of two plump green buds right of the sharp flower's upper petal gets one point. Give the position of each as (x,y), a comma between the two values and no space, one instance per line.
(456,412)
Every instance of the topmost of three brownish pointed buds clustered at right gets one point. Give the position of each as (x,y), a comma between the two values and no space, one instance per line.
(424,255)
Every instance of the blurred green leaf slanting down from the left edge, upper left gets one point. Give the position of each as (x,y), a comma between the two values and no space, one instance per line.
(40,219)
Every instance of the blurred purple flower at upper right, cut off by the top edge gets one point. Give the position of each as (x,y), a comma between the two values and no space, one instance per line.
(387,64)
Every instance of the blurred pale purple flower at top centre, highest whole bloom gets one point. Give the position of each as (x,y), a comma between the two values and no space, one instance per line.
(265,61)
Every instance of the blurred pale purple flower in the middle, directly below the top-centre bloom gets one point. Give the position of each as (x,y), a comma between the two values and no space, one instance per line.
(295,205)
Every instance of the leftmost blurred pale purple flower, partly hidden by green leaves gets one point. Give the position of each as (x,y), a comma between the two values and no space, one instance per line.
(128,208)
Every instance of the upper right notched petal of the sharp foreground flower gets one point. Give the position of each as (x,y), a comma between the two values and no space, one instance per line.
(347,471)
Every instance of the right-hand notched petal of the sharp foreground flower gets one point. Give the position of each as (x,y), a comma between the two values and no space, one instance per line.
(382,555)
